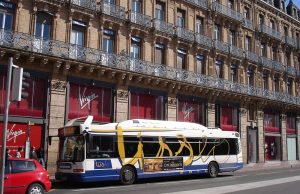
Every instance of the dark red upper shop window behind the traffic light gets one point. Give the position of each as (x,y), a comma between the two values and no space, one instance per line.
(32,106)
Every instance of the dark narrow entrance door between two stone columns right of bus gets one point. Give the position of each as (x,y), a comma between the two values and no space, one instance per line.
(252,145)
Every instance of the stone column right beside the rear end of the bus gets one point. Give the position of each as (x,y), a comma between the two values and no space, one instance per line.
(243,132)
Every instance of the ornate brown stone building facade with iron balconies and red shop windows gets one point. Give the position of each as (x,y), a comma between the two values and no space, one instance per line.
(229,64)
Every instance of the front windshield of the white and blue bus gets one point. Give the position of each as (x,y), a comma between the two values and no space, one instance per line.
(71,148)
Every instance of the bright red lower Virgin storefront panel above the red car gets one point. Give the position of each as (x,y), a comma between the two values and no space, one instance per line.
(17,134)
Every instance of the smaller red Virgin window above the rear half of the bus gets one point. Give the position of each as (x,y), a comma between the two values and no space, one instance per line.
(190,111)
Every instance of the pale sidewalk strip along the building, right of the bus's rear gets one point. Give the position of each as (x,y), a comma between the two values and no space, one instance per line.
(269,166)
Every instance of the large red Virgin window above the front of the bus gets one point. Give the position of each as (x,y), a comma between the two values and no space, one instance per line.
(90,100)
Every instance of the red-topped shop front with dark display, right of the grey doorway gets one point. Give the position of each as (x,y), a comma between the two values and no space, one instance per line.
(272,133)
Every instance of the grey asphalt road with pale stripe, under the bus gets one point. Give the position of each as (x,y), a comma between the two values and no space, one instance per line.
(279,181)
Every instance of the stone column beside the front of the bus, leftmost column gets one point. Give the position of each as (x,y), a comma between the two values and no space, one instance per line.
(56,119)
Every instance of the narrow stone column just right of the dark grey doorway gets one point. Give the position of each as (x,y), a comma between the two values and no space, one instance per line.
(261,140)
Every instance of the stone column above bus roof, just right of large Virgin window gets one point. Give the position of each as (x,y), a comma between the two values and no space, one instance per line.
(122,102)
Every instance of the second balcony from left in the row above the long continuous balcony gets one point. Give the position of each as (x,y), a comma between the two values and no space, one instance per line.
(113,10)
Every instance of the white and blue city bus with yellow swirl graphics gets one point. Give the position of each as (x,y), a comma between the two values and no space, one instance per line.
(137,149)
